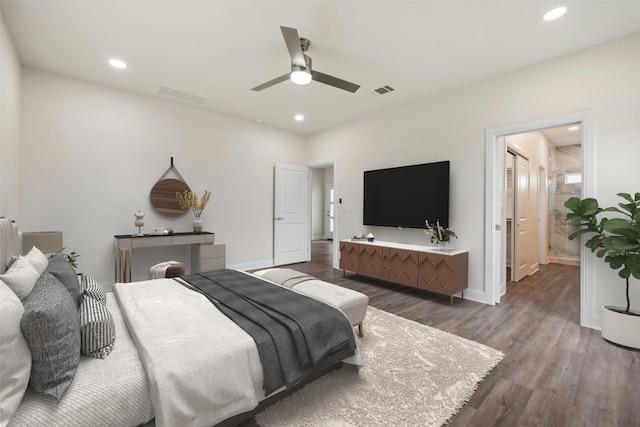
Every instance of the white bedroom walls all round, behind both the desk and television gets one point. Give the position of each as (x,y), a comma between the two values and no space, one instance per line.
(89,155)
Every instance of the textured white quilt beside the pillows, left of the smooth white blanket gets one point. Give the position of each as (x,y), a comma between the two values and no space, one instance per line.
(100,385)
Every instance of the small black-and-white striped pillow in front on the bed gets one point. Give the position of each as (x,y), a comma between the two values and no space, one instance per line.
(97,330)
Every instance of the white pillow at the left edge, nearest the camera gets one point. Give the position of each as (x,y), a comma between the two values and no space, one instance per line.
(15,357)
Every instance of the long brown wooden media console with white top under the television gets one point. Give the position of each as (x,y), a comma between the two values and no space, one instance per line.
(443,272)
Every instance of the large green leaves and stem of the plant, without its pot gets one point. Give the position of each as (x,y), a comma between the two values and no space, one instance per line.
(616,239)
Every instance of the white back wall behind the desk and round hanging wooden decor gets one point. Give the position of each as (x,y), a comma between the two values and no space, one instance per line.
(90,155)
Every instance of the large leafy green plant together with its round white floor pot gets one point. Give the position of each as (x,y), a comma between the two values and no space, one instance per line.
(617,240)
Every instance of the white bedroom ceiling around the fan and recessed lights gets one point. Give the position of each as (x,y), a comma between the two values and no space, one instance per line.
(221,49)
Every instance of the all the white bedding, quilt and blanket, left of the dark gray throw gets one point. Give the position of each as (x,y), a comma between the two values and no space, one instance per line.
(184,362)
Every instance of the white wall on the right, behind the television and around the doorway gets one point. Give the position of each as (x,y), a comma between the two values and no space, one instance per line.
(451,126)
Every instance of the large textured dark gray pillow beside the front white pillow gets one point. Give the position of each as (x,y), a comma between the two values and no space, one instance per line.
(51,327)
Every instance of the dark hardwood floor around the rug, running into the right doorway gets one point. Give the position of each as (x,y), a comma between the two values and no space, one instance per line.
(555,373)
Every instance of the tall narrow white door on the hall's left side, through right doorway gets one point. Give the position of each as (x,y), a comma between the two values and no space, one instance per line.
(521,215)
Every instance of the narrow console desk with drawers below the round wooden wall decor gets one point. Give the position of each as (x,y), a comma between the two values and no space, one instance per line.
(204,254)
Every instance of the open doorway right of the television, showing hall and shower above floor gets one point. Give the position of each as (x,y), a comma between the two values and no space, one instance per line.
(543,169)
